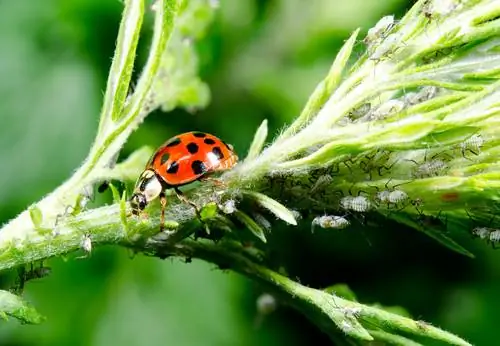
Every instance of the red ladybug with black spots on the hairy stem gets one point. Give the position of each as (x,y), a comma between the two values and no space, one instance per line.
(181,160)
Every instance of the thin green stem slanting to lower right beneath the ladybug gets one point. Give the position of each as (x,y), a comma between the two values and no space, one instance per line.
(324,309)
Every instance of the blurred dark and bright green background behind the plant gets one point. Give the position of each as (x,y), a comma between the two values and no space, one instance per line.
(261,60)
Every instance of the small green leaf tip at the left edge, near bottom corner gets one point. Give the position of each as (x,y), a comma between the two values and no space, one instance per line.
(12,305)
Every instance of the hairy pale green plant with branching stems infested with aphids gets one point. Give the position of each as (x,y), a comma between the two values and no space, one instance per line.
(407,134)
